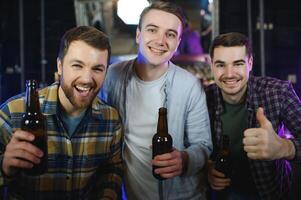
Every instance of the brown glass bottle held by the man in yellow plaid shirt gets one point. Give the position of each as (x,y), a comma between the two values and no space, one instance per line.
(34,122)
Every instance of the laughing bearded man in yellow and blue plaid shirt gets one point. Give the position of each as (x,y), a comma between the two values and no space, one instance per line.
(84,134)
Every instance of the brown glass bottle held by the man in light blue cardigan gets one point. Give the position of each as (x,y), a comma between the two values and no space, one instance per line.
(162,141)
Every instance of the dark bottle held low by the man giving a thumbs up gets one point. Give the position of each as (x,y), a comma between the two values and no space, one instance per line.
(223,162)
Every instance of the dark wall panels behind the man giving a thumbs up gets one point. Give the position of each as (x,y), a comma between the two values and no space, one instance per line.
(282,36)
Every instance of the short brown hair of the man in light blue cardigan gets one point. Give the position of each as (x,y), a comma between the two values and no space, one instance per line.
(166,7)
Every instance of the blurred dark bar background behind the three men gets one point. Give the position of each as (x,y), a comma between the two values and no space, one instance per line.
(30,31)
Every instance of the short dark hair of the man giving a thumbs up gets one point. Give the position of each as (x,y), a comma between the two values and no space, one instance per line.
(231,39)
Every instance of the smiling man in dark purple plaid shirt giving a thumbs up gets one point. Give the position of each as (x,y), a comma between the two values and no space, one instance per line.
(261,116)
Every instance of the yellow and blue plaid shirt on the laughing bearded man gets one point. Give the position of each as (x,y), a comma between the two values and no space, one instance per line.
(87,165)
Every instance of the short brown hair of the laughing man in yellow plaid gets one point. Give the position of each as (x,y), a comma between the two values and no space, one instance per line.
(87,34)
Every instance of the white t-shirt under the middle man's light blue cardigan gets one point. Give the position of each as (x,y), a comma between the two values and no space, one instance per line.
(144,100)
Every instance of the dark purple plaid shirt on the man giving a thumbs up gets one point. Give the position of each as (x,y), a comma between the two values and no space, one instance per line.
(283,108)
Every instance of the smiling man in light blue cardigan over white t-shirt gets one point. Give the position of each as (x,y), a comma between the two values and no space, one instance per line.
(138,88)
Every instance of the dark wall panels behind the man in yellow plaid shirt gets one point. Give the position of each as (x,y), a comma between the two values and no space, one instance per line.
(59,16)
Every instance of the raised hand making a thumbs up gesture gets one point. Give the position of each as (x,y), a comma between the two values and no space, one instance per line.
(263,143)
